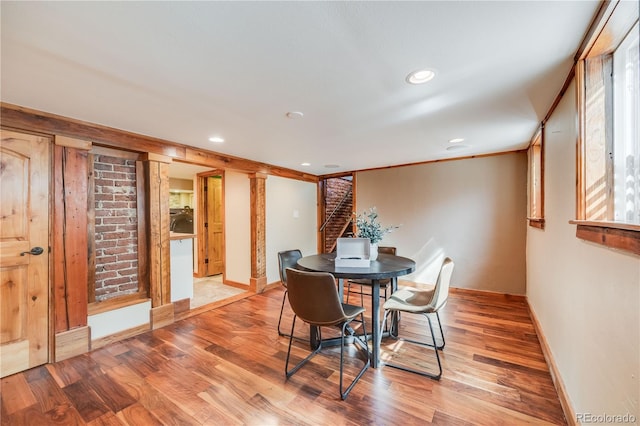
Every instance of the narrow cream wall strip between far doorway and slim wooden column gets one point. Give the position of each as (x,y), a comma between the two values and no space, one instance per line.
(237,226)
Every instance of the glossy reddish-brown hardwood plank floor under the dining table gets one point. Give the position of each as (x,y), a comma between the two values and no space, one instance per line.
(226,366)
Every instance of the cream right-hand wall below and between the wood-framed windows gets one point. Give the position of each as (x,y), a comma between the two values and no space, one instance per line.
(586,296)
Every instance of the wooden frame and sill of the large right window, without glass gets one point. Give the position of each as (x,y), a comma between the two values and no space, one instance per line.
(613,23)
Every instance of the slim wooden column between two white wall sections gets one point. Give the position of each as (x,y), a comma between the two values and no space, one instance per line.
(258,280)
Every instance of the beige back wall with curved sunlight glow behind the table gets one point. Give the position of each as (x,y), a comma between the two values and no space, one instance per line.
(472,210)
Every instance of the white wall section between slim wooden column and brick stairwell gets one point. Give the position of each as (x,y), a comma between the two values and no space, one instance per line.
(291,220)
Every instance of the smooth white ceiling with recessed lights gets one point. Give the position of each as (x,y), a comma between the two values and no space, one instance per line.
(185,71)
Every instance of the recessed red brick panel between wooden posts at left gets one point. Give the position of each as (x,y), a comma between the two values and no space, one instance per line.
(116,238)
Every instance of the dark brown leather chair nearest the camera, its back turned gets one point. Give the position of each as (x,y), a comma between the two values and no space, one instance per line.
(314,298)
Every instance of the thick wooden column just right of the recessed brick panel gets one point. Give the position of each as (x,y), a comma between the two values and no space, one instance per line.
(158,222)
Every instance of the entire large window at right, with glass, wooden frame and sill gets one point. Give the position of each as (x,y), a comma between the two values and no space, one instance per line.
(608,76)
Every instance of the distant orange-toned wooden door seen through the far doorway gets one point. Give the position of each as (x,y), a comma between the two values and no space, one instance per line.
(214,227)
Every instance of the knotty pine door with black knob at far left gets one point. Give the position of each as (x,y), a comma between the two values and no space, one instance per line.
(24,228)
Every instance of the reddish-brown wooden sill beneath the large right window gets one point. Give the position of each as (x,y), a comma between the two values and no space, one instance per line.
(622,236)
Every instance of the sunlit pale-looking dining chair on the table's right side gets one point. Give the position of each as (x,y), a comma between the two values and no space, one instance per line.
(420,299)
